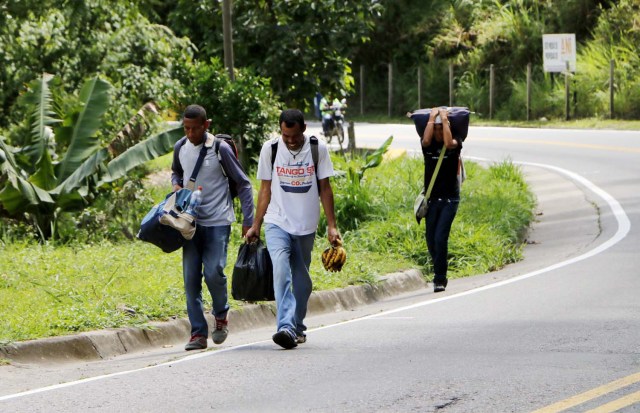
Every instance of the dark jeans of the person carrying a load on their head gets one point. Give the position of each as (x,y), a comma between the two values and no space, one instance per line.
(440,215)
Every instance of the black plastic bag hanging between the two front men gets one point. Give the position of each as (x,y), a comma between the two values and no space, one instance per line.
(253,273)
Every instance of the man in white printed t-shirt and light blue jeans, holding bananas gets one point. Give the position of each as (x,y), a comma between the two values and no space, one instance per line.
(288,204)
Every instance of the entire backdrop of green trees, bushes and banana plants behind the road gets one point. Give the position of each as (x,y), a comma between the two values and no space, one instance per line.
(168,54)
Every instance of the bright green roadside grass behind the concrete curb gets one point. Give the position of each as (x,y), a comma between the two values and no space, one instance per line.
(48,290)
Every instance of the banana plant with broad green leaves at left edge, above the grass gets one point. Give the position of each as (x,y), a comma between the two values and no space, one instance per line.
(36,187)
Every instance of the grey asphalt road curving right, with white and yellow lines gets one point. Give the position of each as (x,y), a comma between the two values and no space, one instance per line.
(559,331)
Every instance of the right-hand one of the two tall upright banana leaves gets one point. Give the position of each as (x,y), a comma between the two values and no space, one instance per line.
(82,139)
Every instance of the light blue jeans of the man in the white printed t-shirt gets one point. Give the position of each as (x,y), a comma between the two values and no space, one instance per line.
(291,258)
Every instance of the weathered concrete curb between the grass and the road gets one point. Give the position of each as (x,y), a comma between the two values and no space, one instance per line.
(103,344)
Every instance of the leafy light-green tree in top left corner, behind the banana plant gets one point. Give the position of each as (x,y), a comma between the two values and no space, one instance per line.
(74,40)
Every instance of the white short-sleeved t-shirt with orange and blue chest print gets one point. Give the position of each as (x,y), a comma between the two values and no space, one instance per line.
(294,206)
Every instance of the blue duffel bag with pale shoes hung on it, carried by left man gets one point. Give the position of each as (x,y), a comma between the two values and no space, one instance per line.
(167,226)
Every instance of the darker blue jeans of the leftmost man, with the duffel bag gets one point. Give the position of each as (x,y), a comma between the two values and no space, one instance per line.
(205,255)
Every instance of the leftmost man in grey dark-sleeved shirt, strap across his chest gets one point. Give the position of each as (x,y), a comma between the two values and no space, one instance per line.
(205,255)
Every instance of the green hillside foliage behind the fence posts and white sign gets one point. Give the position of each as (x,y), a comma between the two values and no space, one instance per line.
(472,35)
